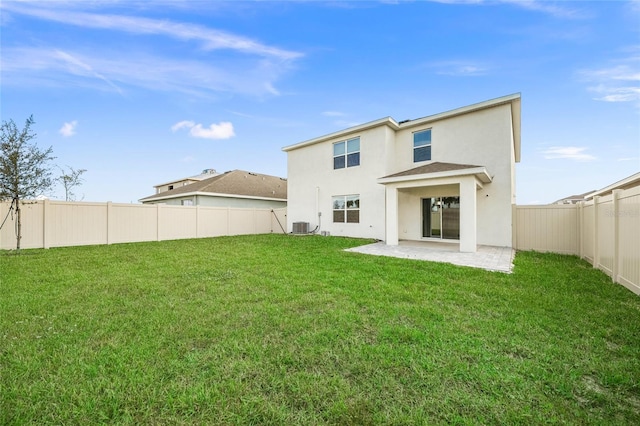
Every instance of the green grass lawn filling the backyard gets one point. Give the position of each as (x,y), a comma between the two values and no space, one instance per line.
(276,329)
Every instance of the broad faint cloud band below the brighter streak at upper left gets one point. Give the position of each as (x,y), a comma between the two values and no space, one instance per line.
(112,70)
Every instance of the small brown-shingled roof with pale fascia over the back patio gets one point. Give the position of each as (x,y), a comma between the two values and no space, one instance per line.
(438,171)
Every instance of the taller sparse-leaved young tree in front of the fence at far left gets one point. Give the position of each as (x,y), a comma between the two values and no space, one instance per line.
(24,168)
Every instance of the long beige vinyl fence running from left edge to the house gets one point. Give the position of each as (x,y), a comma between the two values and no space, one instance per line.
(59,223)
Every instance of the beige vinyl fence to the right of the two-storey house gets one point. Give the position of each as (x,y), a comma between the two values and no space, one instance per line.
(604,231)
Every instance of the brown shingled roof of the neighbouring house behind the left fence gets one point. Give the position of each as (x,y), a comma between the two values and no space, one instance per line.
(236,183)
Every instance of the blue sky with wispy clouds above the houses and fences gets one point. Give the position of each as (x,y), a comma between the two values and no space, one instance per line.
(143,92)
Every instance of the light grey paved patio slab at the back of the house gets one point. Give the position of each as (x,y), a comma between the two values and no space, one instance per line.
(487,257)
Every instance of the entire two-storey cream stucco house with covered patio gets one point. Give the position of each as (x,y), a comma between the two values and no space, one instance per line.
(444,177)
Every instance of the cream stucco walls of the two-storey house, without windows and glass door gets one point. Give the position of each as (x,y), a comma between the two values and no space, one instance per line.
(483,137)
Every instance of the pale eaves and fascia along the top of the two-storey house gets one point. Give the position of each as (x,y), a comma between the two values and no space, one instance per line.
(514,100)
